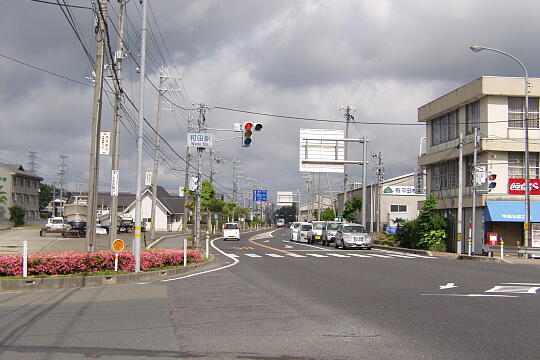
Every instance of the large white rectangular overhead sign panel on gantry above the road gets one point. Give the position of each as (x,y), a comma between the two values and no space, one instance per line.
(320,149)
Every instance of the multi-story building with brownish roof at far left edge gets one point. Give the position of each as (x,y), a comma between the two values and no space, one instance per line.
(20,187)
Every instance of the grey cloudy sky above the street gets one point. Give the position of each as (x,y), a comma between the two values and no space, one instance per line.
(288,57)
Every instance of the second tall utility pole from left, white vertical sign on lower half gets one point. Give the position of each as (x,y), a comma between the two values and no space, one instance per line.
(118,99)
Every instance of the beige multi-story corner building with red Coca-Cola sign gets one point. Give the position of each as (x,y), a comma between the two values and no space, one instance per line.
(495,106)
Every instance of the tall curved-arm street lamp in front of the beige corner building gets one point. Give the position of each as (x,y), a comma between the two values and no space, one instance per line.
(527,189)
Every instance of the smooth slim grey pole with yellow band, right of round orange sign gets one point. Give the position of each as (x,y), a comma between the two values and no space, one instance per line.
(140,137)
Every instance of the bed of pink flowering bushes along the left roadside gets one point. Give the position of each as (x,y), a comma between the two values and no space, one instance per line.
(73,262)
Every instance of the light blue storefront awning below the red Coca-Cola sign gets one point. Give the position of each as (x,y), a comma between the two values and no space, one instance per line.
(510,211)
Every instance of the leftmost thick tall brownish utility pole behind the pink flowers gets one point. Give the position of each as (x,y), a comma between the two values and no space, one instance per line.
(93,173)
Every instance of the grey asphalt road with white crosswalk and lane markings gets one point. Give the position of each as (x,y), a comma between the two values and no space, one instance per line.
(269,298)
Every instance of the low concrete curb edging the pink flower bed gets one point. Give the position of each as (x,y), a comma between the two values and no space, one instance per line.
(66,282)
